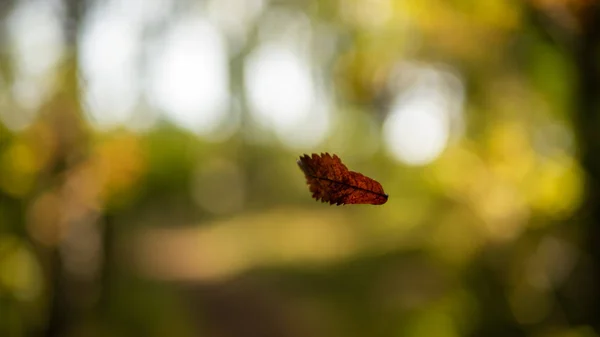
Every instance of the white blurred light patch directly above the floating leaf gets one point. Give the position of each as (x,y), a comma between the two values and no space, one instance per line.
(282,96)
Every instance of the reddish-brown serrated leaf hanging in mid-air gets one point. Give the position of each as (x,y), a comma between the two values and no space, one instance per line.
(331,181)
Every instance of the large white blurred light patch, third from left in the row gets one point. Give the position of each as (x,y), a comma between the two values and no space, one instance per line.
(190,79)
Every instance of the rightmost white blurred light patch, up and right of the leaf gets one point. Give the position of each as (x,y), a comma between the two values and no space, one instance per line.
(419,125)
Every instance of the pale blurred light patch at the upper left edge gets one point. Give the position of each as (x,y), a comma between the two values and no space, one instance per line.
(36,40)
